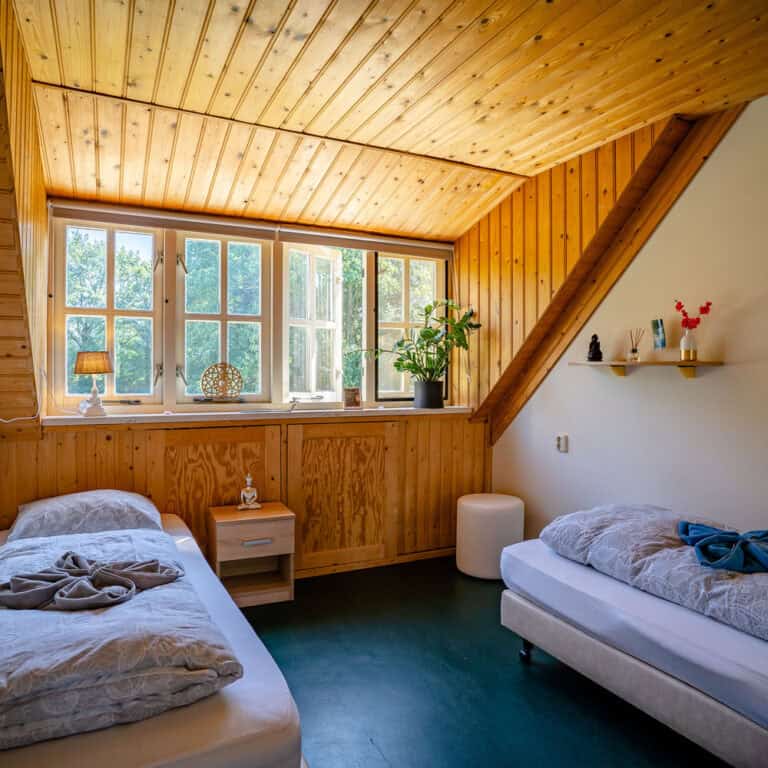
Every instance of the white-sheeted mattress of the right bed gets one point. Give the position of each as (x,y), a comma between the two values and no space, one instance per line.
(718,660)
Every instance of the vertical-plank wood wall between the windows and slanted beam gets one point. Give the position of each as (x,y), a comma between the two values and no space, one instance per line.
(511,263)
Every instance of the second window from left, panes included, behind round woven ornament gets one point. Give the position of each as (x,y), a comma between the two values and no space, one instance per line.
(223,311)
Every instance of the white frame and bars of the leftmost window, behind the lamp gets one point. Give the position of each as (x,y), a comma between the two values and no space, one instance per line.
(61,399)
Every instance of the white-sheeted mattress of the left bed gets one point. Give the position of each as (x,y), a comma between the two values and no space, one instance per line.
(253,722)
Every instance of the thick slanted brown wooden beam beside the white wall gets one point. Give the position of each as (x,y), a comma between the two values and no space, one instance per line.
(663,175)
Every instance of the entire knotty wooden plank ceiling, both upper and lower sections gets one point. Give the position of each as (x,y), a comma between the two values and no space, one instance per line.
(219,91)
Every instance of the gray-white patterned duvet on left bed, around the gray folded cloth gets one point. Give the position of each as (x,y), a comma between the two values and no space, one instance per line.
(63,673)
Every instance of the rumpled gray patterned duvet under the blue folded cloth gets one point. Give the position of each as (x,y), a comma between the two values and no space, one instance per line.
(639,545)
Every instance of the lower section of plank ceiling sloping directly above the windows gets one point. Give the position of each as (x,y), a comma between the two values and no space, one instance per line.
(103,148)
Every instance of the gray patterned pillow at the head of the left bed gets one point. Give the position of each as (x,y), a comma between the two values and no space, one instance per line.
(87,512)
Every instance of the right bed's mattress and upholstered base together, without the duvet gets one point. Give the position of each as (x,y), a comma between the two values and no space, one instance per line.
(704,679)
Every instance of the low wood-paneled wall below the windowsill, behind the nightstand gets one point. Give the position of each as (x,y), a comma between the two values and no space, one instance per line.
(365,492)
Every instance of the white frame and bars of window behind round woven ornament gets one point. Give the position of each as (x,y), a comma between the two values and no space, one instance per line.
(223,317)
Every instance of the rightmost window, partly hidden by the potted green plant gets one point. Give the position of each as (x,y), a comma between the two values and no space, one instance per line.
(404,286)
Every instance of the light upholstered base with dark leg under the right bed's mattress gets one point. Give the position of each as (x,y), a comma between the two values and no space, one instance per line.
(690,712)
